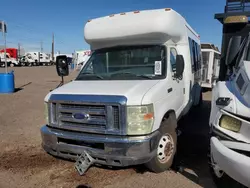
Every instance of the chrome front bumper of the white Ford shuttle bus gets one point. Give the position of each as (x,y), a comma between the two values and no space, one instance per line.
(106,149)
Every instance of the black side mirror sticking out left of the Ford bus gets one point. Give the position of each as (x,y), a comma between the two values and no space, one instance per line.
(62,66)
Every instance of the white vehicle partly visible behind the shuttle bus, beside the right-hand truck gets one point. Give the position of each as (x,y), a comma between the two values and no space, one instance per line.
(210,66)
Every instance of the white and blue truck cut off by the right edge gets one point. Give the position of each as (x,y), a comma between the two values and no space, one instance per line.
(230,111)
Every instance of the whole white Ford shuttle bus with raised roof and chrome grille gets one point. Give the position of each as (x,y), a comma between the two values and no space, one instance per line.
(122,109)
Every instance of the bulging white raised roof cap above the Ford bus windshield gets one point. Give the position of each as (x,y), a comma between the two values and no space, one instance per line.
(138,27)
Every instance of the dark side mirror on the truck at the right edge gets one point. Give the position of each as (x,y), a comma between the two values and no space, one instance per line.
(232,49)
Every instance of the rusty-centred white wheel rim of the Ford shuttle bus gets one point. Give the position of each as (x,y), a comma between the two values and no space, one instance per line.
(165,148)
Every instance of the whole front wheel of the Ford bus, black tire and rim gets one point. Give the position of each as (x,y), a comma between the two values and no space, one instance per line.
(166,148)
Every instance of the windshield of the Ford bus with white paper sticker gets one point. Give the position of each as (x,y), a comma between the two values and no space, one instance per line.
(125,63)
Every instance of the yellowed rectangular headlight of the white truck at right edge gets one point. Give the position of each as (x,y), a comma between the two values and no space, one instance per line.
(230,123)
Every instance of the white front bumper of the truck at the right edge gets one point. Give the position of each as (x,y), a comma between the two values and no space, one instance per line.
(234,164)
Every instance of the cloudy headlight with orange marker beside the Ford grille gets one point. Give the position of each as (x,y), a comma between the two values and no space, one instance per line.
(140,119)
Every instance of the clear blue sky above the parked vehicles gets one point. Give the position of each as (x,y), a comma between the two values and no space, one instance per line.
(32,21)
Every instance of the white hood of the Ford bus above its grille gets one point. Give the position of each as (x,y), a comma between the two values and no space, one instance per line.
(133,90)
